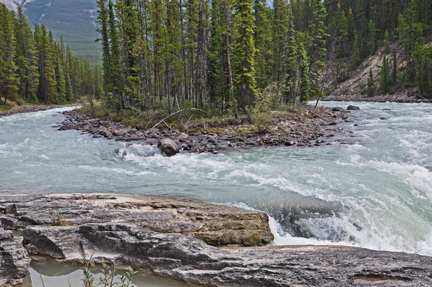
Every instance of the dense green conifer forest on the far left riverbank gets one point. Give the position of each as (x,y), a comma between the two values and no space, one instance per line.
(35,68)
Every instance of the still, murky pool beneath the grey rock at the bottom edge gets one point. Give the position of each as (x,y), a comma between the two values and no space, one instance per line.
(51,273)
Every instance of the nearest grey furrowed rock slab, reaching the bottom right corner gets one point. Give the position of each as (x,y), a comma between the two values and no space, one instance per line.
(190,260)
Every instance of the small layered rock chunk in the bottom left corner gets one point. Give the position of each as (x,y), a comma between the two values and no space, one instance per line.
(14,260)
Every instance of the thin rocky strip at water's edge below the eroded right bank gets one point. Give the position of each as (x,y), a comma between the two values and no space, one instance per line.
(395,98)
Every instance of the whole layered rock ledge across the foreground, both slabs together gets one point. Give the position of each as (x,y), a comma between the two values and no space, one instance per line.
(91,233)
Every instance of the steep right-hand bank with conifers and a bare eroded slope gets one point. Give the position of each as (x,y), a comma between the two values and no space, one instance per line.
(389,53)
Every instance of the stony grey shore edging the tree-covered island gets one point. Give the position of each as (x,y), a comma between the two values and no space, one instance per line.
(322,126)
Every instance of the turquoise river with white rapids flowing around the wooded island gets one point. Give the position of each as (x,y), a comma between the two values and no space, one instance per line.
(376,193)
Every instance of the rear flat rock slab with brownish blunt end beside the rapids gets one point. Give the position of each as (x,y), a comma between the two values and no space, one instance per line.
(214,224)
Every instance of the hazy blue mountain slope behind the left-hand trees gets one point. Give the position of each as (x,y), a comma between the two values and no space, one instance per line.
(72,19)
